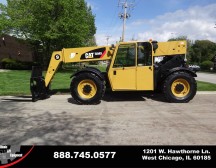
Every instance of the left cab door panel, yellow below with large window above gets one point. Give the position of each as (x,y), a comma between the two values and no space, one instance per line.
(122,73)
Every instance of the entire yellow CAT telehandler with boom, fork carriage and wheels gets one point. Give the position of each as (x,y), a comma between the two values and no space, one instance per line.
(133,66)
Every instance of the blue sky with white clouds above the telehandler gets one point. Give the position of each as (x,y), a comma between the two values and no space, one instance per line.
(154,19)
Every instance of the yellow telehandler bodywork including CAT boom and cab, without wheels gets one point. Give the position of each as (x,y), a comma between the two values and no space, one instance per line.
(139,76)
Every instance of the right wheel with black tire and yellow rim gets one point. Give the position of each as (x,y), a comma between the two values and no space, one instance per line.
(179,87)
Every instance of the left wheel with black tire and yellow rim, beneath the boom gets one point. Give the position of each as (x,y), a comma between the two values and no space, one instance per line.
(87,88)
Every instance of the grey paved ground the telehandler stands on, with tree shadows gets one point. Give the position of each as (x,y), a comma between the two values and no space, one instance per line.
(119,119)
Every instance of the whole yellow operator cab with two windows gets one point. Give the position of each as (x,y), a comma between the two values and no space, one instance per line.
(131,67)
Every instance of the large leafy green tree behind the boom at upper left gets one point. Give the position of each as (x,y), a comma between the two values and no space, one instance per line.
(55,24)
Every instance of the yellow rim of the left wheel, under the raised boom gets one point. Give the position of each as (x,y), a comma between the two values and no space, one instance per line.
(87,89)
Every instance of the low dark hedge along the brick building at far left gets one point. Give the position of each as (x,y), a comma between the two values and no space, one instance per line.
(8,63)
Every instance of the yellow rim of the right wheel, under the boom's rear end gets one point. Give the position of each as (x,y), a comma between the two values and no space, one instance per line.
(180,88)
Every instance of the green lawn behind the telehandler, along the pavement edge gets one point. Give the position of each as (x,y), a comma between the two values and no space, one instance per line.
(17,83)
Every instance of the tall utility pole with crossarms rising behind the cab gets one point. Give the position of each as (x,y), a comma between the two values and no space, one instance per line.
(125,5)
